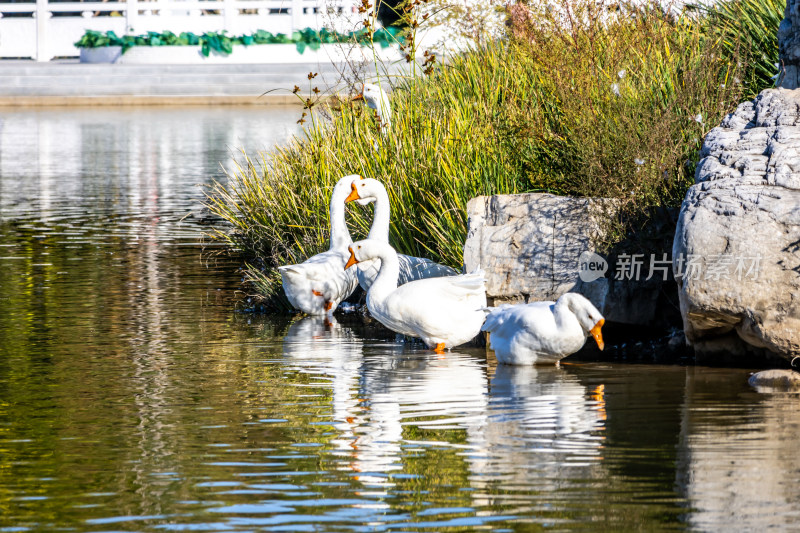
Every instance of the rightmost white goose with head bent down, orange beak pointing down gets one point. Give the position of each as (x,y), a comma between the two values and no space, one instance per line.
(543,332)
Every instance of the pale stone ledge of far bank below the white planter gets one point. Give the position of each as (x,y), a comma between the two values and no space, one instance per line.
(67,83)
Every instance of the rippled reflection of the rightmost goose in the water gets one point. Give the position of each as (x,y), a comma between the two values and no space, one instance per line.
(541,421)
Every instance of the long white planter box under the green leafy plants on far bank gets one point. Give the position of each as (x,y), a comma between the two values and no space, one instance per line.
(257,53)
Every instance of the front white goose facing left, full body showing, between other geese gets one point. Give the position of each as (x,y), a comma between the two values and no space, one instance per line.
(443,312)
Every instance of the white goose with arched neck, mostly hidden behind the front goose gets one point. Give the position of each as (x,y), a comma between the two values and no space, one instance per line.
(411,268)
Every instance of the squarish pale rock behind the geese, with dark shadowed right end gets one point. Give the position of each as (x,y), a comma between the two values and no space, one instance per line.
(531,247)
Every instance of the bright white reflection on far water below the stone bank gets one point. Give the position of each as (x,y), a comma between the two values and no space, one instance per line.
(133,172)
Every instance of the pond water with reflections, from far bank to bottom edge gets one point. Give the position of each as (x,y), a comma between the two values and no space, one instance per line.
(135,397)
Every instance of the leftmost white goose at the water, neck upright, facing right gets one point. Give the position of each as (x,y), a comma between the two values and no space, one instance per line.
(317,285)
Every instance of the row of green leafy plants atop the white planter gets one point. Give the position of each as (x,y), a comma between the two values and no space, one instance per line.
(222,43)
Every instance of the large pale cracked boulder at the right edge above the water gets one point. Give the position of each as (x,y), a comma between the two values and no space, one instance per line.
(736,253)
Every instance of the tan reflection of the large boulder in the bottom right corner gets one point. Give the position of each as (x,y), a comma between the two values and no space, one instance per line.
(738,461)
